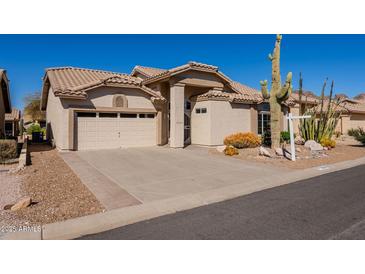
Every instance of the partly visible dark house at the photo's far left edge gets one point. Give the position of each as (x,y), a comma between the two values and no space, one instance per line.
(5,104)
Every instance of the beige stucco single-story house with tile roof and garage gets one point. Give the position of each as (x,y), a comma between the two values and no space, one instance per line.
(191,104)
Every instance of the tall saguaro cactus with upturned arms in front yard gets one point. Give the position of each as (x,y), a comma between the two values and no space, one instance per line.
(278,93)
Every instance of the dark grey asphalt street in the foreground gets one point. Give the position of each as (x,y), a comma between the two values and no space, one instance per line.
(330,206)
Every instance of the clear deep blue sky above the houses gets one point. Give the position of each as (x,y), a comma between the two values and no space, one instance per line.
(241,57)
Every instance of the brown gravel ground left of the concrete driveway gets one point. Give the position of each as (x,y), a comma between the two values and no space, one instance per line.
(56,191)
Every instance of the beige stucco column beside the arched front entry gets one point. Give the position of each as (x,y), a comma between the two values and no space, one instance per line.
(177,115)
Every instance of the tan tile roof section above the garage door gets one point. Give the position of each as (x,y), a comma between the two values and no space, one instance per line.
(74,82)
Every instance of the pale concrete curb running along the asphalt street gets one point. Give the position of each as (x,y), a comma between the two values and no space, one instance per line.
(100,222)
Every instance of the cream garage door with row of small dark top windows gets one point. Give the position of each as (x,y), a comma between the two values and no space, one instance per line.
(114,130)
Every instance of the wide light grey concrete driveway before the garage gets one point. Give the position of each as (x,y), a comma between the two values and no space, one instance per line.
(156,173)
